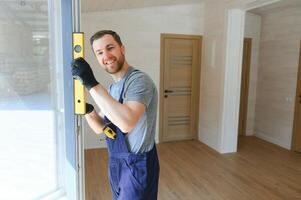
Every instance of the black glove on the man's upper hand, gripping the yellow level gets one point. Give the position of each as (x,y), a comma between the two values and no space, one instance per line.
(81,70)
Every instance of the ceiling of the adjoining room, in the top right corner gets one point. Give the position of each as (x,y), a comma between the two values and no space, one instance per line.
(274,7)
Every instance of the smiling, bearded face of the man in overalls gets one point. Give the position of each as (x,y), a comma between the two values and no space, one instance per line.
(109,54)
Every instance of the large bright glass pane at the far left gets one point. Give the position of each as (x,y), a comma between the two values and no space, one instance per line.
(29,130)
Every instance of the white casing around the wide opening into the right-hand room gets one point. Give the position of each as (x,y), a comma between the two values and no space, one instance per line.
(233,67)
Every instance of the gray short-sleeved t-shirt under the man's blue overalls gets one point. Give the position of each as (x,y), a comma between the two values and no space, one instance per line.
(139,87)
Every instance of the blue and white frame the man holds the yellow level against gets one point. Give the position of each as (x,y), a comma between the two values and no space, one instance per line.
(74,162)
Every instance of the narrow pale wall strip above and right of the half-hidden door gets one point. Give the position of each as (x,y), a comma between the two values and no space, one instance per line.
(252,30)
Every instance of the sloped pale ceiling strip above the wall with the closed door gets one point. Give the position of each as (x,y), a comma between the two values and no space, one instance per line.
(103,5)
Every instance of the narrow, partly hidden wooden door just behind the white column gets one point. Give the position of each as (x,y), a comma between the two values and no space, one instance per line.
(244,90)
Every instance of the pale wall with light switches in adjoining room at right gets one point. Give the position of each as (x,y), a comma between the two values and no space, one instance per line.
(277,75)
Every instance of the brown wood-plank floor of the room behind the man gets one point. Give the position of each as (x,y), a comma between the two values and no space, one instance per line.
(190,170)
